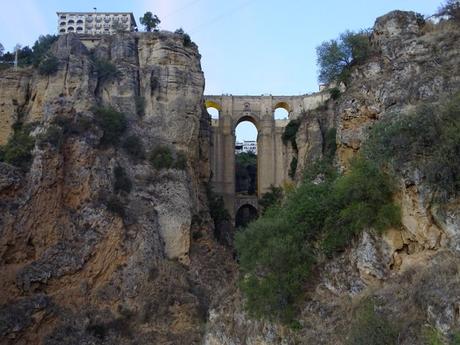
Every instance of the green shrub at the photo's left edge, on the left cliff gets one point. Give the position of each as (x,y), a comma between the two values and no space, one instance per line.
(18,150)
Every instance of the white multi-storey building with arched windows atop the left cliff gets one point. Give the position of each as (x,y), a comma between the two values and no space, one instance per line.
(95,23)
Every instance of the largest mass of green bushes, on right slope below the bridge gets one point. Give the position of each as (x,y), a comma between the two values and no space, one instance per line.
(278,251)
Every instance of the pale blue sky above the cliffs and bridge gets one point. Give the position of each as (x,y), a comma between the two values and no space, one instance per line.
(247,46)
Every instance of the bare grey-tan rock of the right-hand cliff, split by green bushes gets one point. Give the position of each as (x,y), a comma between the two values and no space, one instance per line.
(413,272)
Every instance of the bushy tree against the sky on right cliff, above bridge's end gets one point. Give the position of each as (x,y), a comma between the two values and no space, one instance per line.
(336,57)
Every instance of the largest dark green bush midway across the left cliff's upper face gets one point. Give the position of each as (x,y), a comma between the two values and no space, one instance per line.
(113,123)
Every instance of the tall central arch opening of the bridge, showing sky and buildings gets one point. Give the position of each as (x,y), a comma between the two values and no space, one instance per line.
(246,134)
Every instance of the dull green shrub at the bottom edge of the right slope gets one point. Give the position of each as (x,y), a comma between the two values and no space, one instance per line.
(370,328)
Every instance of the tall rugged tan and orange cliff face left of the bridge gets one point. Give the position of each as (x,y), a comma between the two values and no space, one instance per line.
(81,262)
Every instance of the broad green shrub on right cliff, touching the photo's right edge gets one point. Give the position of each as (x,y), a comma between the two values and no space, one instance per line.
(427,139)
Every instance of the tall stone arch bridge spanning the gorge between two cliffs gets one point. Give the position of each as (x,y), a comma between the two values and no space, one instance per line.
(272,155)
